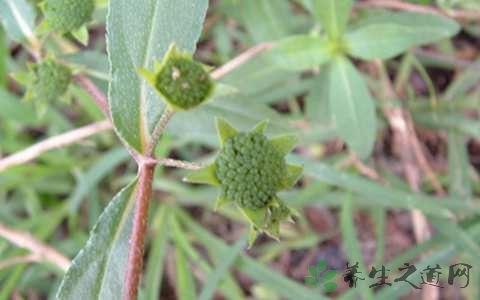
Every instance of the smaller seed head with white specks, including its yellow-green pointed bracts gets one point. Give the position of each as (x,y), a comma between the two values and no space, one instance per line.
(182,82)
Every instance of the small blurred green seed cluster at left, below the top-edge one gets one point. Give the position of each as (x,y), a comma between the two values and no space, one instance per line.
(50,80)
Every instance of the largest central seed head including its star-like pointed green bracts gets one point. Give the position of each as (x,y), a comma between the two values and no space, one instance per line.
(250,169)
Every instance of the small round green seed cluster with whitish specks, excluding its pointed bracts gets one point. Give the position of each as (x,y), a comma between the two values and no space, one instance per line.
(184,82)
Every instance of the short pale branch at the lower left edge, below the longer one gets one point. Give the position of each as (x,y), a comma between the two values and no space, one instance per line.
(42,251)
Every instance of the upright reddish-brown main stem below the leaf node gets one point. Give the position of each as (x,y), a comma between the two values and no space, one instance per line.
(137,241)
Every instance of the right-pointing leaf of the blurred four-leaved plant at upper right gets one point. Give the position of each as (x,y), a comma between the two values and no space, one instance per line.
(389,35)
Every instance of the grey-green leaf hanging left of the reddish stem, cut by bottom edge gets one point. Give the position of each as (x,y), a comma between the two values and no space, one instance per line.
(98,271)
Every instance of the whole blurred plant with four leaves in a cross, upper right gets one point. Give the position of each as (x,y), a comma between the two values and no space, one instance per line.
(380,36)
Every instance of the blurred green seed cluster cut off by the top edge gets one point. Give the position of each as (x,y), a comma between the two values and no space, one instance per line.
(68,15)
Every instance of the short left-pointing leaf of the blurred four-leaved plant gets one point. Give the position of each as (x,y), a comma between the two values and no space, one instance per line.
(301,52)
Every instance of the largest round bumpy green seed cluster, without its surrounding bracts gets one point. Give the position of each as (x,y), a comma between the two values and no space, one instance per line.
(250,170)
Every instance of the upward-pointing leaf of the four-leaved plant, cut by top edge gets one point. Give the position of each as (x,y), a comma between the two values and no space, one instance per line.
(333,15)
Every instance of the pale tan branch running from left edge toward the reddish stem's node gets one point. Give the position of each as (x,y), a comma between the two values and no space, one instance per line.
(55,142)
